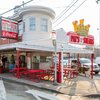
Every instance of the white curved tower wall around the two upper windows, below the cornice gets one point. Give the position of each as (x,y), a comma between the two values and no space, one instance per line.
(38,34)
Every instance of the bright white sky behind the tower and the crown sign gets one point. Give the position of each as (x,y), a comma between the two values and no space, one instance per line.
(85,9)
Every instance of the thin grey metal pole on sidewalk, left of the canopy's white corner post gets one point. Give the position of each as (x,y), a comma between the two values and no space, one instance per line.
(55,60)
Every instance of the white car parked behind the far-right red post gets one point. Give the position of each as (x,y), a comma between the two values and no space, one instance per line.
(86,63)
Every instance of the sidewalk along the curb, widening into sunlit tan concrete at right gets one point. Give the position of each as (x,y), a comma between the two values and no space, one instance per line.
(73,87)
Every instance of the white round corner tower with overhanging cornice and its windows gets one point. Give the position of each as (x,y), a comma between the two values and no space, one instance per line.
(35,22)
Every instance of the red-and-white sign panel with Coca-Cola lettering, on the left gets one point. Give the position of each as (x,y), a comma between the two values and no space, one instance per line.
(9,28)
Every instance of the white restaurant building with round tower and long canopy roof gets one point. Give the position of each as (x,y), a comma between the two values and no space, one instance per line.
(34,44)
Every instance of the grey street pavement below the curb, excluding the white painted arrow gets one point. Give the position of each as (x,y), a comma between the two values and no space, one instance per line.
(15,91)
